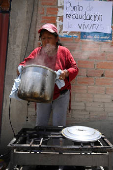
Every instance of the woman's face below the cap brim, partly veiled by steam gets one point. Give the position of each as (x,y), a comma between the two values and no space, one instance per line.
(48,38)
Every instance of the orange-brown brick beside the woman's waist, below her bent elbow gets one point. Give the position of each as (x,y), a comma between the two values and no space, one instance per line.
(79,89)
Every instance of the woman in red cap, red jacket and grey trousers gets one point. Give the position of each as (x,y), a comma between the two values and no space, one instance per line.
(57,57)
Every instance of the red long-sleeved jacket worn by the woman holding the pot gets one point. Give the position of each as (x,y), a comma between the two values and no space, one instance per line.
(63,60)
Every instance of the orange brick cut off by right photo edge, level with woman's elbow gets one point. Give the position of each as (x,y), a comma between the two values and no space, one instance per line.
(105,65)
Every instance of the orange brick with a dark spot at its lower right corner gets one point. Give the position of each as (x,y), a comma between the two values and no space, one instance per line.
(95,73)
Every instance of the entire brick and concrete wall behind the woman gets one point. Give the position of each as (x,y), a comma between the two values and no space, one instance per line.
(92,90)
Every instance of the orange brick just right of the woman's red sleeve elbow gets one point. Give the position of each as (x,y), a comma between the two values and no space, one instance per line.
(85,64)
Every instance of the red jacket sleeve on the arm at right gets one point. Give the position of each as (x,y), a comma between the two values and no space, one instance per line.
(71,66)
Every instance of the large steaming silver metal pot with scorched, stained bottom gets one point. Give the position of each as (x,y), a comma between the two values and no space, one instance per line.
(37,84)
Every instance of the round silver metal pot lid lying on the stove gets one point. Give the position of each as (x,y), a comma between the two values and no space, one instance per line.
(81,133)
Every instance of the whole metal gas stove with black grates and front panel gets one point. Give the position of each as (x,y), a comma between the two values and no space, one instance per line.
(46,146)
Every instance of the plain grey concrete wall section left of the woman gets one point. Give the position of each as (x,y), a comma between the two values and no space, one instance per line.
(22,37)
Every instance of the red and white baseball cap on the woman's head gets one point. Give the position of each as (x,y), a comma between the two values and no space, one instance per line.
(49,27)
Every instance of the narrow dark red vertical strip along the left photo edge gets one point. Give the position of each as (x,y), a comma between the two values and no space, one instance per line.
(4,20)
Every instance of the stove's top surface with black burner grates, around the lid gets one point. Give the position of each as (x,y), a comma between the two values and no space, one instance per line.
(50,139)
